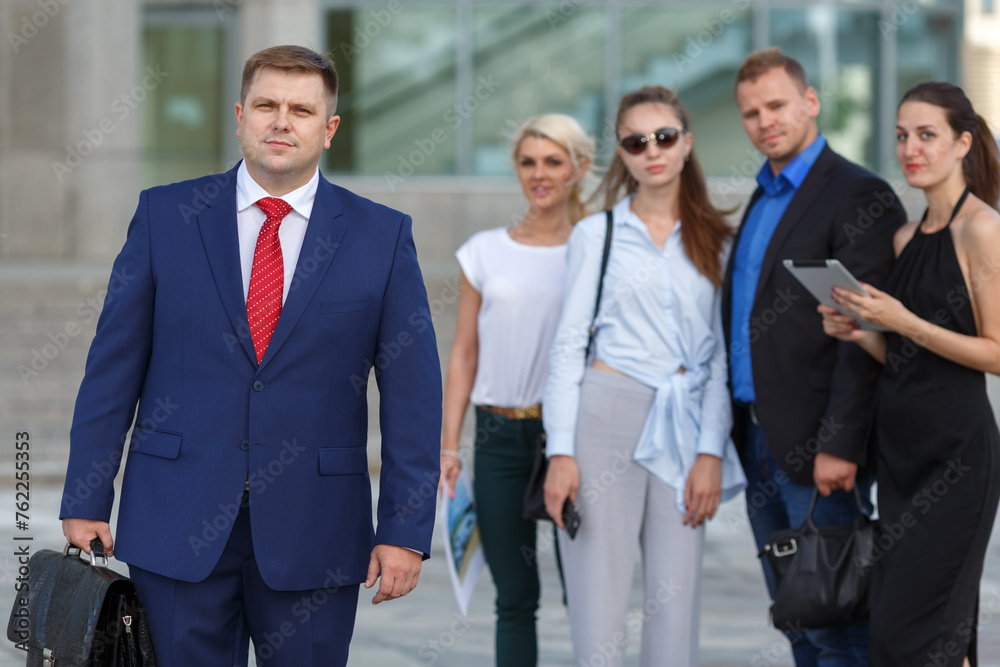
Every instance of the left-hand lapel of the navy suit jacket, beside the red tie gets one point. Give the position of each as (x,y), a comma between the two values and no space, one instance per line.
(217,224)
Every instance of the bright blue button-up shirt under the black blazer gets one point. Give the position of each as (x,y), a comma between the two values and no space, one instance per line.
(763,219)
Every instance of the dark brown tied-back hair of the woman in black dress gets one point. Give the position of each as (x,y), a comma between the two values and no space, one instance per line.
(981,165)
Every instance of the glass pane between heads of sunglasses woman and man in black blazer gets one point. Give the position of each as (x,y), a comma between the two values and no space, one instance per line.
(695,53)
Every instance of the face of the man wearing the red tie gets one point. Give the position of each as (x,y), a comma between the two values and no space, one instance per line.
(283,127)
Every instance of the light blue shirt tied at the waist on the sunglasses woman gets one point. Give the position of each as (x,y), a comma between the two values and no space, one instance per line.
(657,315)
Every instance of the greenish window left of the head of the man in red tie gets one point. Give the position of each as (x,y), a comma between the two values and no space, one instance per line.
(183,116)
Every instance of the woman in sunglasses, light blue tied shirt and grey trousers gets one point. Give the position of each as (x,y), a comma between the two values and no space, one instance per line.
(638,436)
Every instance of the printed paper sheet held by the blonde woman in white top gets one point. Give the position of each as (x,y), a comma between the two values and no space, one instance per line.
(462,546)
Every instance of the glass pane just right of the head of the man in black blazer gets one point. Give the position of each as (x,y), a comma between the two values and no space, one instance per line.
(840,51)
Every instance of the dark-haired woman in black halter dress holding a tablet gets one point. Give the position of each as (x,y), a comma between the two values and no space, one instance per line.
(939,448)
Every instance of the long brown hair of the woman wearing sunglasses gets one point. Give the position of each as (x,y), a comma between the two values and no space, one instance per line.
(705,230)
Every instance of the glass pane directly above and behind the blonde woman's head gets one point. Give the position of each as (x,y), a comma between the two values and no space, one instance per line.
(544,61)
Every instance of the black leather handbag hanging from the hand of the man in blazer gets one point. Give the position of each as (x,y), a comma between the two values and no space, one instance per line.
(821,574)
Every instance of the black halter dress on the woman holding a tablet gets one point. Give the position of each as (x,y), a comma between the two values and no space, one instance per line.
(938,473)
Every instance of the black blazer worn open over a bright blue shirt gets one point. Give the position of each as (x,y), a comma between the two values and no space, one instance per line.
(815,393)
